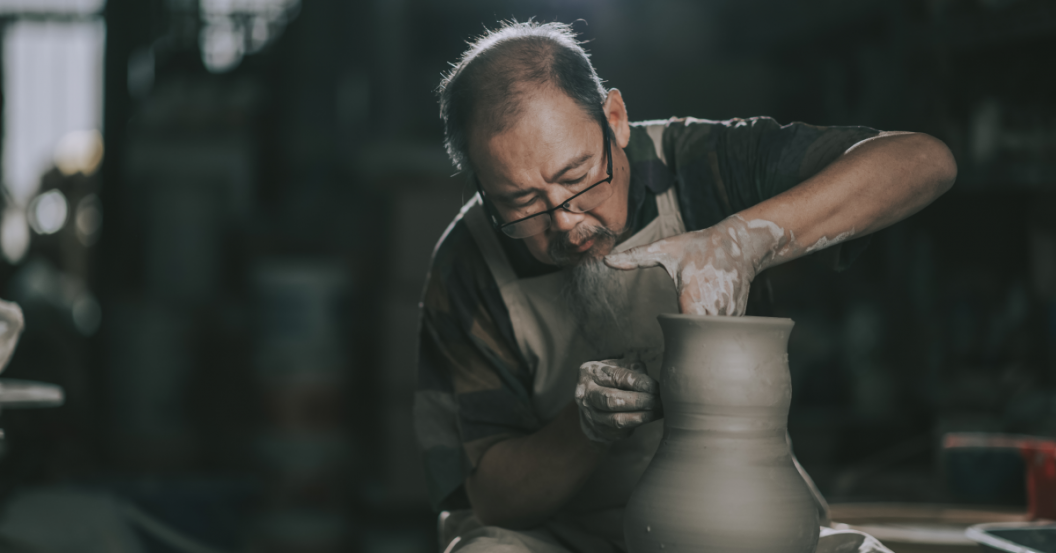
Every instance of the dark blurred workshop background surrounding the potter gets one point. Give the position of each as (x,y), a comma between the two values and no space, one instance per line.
(218,216)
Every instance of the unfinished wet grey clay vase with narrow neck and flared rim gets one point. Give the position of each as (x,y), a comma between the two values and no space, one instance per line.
(723,480)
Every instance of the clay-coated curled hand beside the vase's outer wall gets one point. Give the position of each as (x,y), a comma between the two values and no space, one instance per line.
(615,397)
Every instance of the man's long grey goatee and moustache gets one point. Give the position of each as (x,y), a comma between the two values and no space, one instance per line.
(594,292)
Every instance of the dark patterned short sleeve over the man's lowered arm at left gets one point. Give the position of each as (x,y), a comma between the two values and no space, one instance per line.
(473,388)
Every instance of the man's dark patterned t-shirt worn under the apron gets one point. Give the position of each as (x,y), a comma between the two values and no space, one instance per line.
(475,388)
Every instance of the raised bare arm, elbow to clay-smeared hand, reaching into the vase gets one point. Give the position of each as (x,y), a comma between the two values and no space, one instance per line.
(875,184)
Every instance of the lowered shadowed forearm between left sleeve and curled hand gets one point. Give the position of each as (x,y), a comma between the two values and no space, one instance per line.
(522,482)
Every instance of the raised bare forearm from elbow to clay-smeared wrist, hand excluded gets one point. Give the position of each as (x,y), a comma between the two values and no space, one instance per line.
(876,184)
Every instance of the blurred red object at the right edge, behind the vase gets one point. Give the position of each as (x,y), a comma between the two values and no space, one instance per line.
(1040,454)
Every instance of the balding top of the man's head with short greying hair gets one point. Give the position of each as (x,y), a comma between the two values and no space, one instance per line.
(486,90)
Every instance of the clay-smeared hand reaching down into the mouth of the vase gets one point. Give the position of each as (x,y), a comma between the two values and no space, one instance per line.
(712,269)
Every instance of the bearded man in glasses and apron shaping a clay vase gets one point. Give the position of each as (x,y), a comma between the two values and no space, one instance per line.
(537,407)
